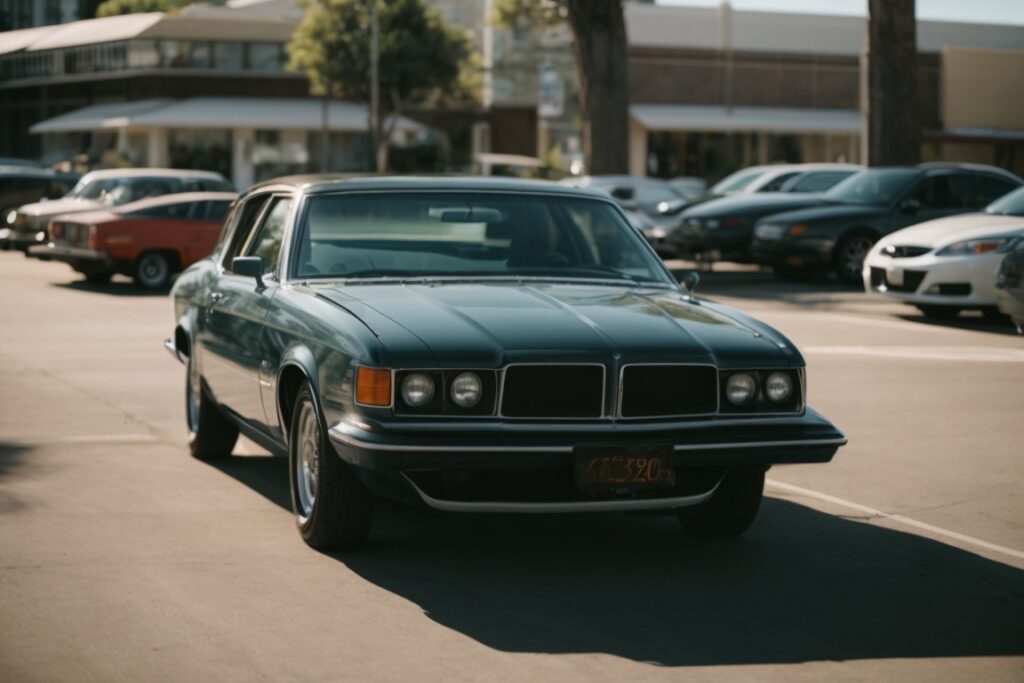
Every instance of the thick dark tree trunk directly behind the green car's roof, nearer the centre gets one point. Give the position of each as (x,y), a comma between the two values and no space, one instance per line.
(603,62)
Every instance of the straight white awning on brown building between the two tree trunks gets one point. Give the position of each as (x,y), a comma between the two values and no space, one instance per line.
(745,119)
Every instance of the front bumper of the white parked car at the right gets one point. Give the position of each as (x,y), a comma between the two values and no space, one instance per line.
(952,281)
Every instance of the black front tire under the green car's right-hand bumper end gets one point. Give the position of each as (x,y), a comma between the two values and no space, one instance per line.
(731,511)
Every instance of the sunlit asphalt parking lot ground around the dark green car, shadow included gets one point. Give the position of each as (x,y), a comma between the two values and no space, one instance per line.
(122,559)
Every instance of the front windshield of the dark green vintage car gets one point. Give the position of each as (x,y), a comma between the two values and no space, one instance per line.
(481,235)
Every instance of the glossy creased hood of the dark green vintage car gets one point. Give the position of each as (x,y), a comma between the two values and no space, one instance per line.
(492,325)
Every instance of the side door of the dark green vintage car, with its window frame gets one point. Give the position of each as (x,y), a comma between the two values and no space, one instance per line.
(237,309)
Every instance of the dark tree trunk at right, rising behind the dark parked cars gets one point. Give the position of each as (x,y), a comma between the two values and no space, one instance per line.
(889,86)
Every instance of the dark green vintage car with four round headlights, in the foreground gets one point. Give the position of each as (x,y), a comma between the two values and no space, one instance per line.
(486,346)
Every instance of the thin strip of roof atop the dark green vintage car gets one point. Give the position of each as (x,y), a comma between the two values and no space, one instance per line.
(318,184)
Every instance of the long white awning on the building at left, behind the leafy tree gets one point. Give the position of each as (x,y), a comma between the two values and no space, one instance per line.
(219,113)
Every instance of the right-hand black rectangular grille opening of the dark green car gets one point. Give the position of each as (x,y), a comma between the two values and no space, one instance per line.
(669,391)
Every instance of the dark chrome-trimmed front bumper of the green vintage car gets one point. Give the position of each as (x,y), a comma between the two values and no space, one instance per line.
(393,456)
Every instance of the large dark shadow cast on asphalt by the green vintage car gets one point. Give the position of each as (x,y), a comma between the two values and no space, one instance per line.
(803,586)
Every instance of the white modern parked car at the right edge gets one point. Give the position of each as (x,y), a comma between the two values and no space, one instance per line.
(948,266)
